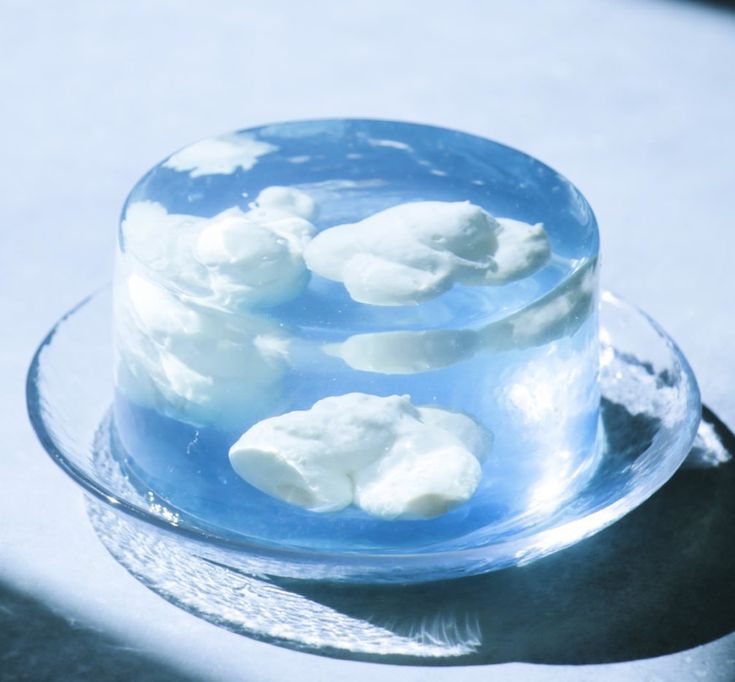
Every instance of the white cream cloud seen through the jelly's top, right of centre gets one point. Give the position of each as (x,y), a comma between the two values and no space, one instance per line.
(416,251)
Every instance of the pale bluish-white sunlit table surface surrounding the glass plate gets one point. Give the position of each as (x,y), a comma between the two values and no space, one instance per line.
(633,101)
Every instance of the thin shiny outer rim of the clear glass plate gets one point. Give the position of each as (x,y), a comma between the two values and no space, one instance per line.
(606,515)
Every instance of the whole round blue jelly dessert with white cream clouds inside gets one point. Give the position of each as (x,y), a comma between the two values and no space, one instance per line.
(354,334)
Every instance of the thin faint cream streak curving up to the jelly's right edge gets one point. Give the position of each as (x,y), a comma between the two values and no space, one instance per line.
(559,313)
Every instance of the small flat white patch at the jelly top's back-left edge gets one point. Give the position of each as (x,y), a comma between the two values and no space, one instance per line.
(219,155)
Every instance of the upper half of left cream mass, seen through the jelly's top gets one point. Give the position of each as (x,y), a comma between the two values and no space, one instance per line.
(236,259)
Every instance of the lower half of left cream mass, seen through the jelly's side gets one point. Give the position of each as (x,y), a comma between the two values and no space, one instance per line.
(195,364)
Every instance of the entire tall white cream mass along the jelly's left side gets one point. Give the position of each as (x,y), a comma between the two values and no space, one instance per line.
(182,350)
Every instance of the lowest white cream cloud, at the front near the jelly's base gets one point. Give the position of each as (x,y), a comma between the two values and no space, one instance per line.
(382,454)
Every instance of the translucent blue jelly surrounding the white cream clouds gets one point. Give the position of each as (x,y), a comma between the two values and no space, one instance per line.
(539,398)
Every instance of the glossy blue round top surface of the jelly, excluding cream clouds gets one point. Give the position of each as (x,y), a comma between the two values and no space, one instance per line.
(352,169)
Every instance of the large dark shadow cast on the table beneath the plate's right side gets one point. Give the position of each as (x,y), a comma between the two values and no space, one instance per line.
(656,582)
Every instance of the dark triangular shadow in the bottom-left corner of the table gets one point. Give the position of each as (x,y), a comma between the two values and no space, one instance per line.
(37,644)
